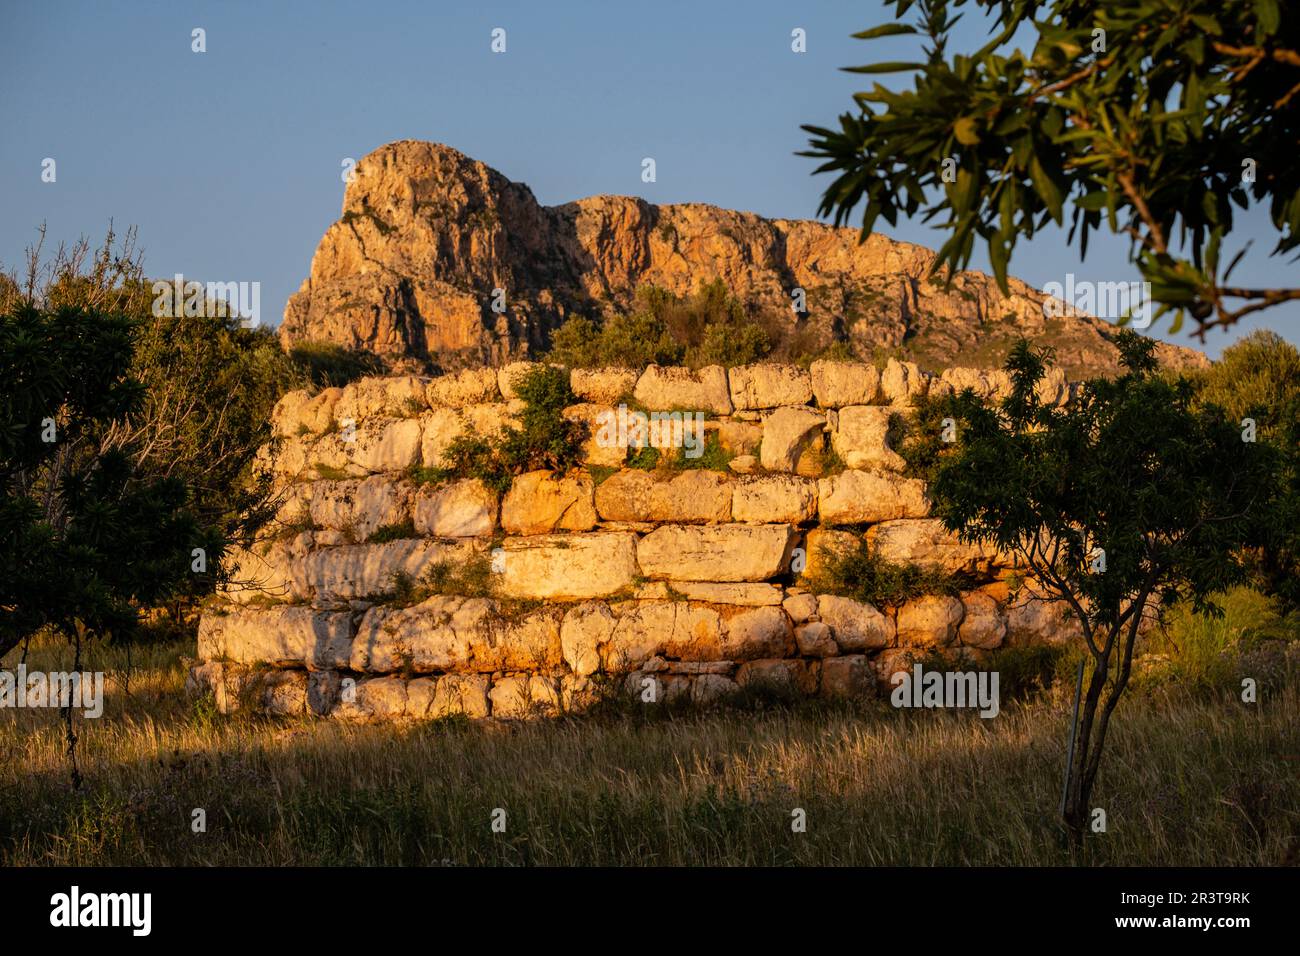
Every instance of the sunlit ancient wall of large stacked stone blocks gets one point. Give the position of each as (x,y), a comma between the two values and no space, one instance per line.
(670,585)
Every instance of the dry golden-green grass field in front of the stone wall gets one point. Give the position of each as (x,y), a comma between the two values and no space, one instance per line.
(1190,778)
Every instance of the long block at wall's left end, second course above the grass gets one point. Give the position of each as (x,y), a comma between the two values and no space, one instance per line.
(283,637)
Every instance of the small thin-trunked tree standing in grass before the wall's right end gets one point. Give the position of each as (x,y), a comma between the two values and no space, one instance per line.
(1128,498)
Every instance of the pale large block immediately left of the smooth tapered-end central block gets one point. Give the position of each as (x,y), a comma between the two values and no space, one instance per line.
(569,568)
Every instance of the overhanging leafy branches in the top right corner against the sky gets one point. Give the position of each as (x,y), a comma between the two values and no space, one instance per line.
(1155,116)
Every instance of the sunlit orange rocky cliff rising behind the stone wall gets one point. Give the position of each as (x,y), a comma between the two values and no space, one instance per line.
(428,235)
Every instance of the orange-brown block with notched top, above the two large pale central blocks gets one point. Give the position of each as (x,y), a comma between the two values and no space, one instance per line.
(690,498)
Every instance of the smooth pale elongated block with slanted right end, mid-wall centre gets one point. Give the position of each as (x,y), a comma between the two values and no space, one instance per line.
(716,553)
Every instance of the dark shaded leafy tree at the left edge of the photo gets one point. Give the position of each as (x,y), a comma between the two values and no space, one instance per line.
(85,540)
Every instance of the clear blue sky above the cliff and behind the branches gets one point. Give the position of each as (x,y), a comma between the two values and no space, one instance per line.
(229,161)
